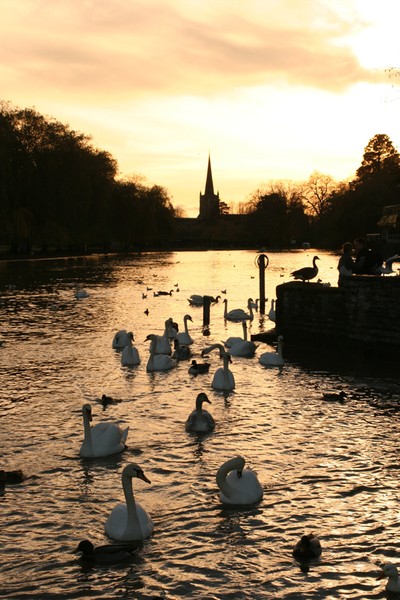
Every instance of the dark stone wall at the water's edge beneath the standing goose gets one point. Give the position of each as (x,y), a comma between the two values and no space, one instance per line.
(364,311)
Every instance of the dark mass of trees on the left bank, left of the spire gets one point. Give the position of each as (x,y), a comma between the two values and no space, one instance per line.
(58,191)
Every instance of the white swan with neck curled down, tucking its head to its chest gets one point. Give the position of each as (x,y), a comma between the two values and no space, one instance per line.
(238,485)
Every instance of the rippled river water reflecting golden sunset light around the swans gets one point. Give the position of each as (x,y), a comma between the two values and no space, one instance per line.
(326,467)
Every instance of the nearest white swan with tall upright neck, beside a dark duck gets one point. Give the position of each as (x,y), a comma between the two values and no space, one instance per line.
(129,521)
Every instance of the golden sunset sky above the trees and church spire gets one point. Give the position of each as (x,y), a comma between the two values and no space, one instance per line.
(273,89)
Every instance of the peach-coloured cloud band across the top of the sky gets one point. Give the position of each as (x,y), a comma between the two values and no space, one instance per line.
(122,49)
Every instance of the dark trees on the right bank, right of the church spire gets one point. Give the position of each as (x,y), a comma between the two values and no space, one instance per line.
(324,212)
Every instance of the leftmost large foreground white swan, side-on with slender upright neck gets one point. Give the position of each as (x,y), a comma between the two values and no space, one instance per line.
(103,439)
